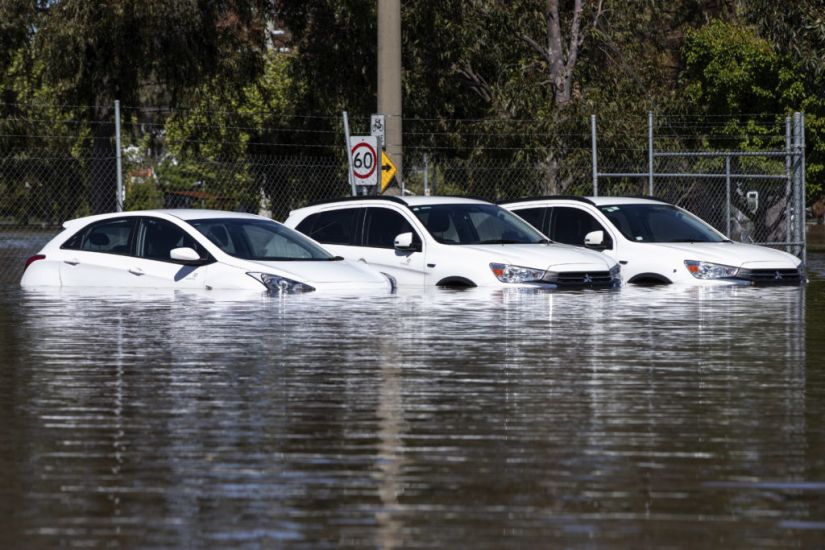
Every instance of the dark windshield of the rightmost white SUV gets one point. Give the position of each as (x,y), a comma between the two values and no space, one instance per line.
(659,223)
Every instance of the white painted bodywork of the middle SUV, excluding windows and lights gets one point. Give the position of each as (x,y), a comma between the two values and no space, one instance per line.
(438,261)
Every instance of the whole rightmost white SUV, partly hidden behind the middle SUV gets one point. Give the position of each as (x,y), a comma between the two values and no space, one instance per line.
(656,242)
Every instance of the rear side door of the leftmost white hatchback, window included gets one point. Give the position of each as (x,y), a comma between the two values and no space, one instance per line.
(99,254)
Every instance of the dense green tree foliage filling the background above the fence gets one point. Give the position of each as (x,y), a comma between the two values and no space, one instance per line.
(475,89)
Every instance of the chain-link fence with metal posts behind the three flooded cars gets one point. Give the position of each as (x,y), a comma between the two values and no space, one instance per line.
(41,186)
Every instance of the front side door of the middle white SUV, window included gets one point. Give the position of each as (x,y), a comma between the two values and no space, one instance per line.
(381,226)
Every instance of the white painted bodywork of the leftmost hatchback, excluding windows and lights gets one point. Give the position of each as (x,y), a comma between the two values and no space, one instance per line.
(80,268)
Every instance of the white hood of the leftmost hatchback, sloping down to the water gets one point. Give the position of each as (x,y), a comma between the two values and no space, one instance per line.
(339,271)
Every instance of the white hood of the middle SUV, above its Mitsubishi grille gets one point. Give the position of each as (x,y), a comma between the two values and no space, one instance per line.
(551,256)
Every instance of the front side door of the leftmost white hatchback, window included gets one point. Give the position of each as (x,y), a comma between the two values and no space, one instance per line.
(151,265)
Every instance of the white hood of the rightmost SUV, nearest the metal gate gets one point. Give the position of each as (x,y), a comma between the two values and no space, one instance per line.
(733,254)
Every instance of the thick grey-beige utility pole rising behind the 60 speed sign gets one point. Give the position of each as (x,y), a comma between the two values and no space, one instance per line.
(389,77)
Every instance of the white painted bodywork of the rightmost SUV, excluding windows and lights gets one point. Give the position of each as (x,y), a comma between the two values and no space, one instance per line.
(668,259)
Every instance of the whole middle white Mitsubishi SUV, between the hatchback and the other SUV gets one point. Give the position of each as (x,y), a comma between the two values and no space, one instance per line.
(449,241)
